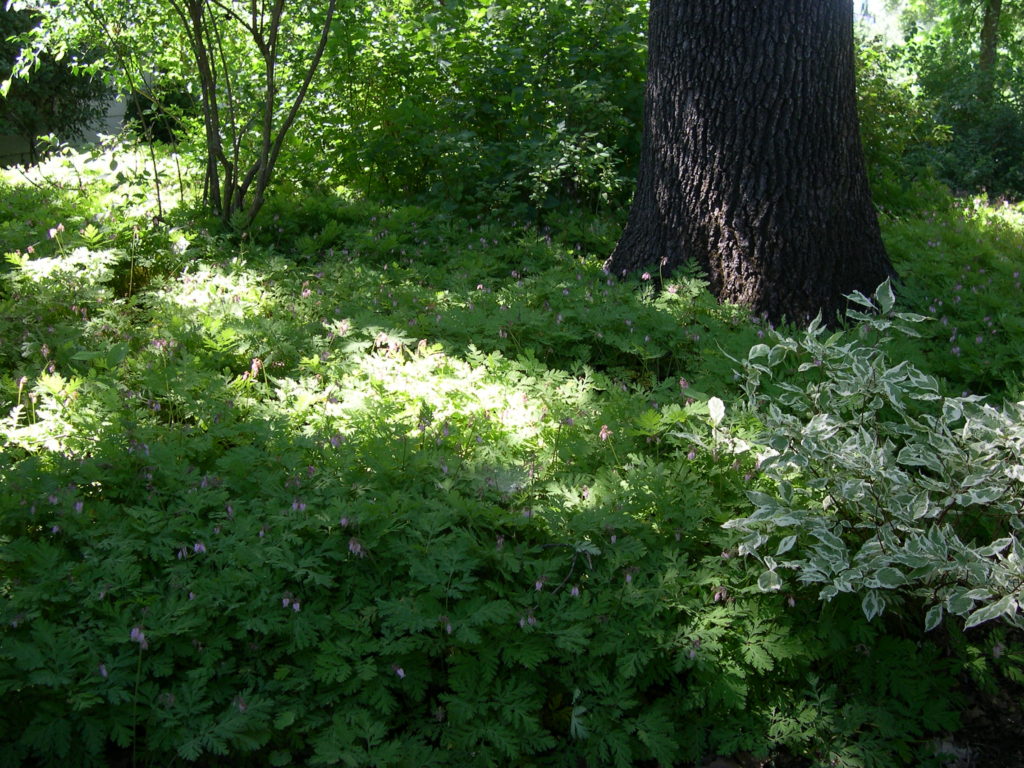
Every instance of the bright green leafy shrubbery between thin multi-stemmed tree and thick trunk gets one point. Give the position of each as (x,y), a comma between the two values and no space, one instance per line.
(485,106)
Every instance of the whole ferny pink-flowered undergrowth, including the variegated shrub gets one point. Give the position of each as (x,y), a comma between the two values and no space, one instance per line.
(378,486)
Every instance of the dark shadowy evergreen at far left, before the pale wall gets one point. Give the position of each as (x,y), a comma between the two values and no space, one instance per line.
(60,100)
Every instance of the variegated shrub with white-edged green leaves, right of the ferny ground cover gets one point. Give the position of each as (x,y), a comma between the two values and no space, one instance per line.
(882,487)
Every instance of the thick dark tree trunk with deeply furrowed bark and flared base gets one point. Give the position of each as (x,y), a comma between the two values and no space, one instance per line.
(752,162)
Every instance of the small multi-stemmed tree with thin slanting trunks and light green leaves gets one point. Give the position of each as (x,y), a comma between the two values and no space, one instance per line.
(251,64)
